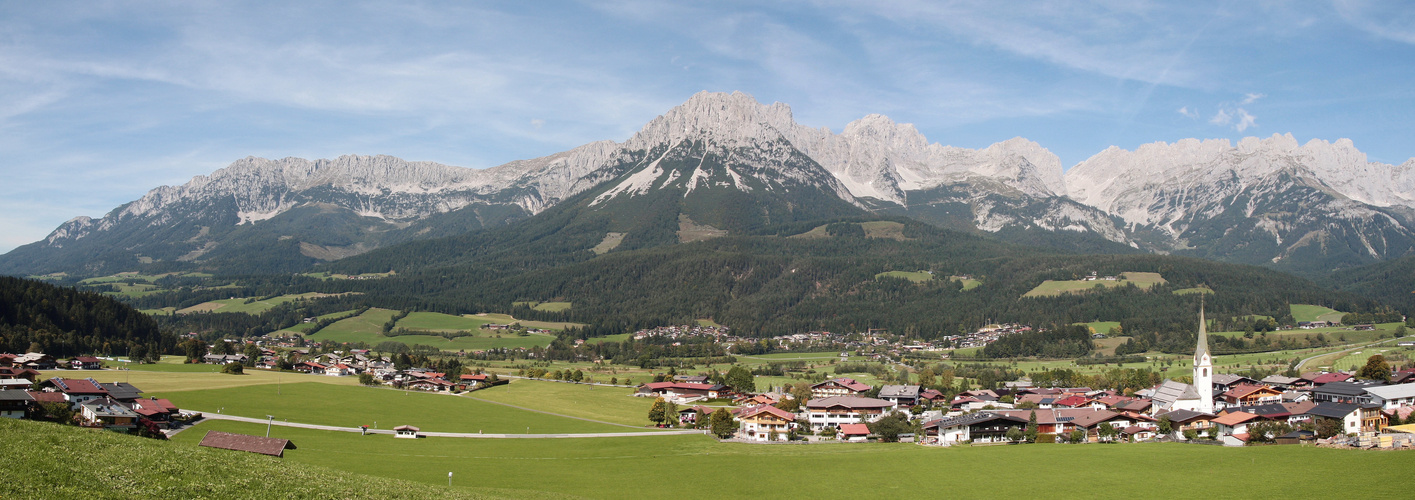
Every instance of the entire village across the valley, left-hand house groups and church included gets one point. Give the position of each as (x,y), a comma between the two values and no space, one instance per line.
(1358,410)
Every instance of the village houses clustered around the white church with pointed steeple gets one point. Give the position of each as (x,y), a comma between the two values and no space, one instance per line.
(1219,407)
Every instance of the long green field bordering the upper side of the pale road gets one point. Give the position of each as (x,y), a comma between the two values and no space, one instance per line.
(353,406)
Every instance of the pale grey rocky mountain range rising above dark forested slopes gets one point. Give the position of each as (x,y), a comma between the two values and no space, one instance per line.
(727,165)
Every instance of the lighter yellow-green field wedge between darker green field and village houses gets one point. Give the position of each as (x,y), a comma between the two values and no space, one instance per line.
(606,404)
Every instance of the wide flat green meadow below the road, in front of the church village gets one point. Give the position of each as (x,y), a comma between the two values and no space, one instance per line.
(613,468)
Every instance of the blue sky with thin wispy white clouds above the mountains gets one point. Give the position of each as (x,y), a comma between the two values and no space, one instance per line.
(104,101)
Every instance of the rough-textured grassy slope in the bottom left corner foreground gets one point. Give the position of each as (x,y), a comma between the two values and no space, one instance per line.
(67,462)
